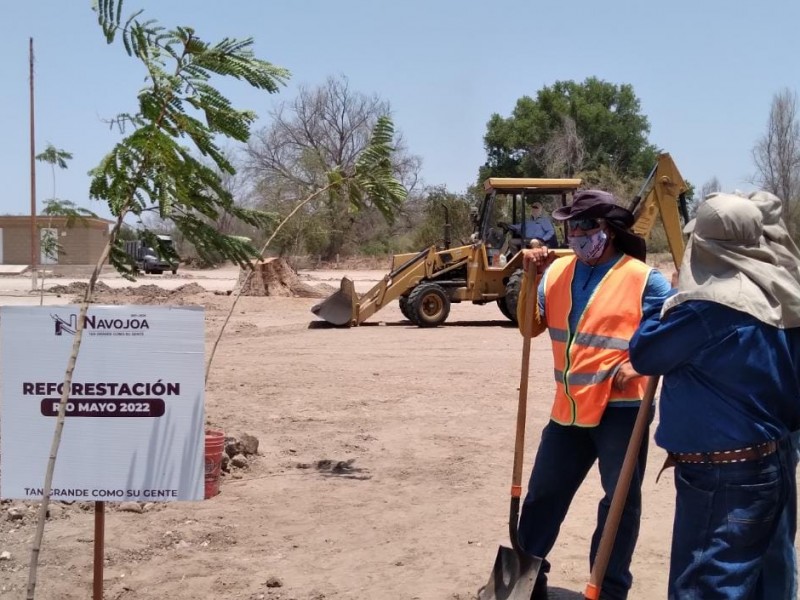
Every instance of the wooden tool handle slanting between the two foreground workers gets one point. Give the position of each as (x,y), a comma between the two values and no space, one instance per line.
(609,535)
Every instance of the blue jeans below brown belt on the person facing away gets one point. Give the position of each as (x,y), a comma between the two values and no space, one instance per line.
(726,517)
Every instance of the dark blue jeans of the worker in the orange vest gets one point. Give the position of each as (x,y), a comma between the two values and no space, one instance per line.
(565,455)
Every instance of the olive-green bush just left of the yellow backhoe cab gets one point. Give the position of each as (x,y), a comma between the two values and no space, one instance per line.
(437,203)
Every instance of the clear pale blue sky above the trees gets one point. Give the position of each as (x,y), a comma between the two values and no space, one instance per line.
(705,72)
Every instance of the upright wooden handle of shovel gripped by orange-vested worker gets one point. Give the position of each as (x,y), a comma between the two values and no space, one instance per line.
(522,407)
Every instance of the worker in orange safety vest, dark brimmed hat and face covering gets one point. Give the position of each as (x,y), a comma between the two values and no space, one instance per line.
(591,303)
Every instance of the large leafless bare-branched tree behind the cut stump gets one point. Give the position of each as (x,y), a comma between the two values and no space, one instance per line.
(324,129)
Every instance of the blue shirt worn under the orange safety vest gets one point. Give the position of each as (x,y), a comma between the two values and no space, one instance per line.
(657,289)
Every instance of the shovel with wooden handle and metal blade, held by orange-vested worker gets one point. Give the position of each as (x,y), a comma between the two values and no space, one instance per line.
(514,573)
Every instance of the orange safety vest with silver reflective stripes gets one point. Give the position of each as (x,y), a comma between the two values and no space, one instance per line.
(586,360)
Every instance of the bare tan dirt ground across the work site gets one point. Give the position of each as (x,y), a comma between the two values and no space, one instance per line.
(383,471)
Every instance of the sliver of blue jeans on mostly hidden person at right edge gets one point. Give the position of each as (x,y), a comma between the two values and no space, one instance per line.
(779,572)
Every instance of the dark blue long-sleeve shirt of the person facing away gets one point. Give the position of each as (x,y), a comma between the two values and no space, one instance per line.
(729,380)
